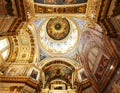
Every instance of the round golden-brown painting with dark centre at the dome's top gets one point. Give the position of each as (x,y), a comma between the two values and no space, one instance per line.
(58,28)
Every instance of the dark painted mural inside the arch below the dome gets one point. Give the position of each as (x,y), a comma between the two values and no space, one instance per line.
(58,72)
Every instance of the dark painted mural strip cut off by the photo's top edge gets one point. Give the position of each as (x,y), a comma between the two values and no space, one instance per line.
(59,2)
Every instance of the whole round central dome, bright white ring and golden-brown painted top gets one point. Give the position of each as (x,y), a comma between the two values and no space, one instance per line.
(58,35)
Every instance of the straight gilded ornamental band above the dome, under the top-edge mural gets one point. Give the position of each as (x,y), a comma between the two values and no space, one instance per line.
(50,9)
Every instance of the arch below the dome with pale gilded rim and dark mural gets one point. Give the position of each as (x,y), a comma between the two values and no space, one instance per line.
(58,68)
